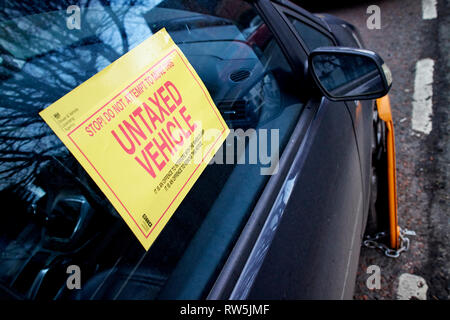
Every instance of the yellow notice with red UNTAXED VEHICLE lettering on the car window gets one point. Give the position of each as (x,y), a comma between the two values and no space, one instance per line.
(144,128)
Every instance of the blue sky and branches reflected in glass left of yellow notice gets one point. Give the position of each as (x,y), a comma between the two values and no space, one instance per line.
(55,67)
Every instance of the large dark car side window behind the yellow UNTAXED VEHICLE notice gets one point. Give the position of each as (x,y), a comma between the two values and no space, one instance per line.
(53,214)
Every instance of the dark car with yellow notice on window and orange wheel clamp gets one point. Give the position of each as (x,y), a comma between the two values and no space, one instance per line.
(287,229)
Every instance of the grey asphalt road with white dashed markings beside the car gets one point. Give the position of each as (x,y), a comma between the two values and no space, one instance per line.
(404,39)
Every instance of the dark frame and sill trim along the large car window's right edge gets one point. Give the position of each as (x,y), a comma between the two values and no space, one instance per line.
(296,53)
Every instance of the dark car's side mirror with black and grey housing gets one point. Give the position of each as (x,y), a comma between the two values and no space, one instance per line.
(349,74)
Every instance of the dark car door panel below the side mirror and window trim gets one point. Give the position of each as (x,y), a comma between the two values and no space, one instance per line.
(318,259)
